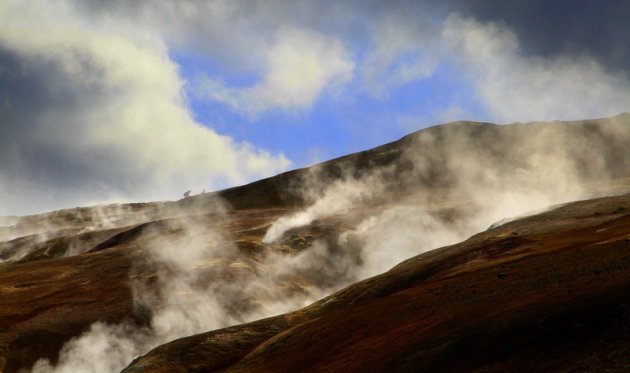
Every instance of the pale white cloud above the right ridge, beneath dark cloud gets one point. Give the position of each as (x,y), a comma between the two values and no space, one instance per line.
(514,87)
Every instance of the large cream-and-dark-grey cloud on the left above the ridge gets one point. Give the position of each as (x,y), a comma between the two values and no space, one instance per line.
(92,113)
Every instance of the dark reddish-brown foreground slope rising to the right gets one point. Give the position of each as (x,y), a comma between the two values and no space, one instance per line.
(545,293)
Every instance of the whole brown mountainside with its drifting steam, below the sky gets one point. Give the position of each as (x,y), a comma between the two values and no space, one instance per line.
(294,272)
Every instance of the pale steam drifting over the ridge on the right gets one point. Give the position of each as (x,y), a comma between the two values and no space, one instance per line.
(459,179)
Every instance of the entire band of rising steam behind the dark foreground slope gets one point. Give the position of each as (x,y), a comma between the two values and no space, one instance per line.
(448,182)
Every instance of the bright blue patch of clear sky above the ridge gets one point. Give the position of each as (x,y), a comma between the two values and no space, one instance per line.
(332,126)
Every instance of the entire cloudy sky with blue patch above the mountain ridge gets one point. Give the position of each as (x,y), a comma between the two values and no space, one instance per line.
(106,101)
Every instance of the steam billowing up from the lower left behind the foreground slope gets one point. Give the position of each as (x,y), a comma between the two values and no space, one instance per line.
(190,277)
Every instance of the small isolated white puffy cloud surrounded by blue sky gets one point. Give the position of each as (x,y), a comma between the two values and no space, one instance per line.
(300,65)
